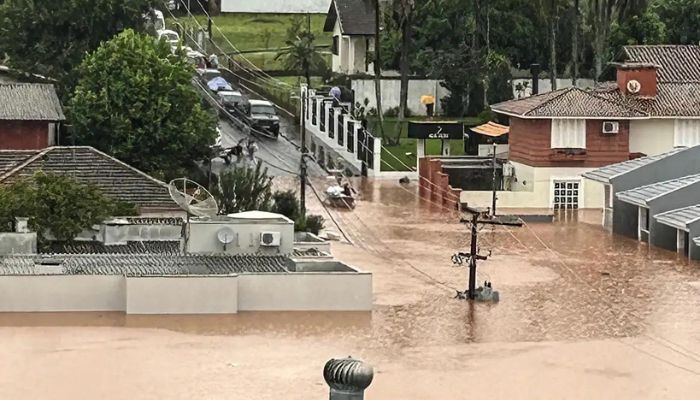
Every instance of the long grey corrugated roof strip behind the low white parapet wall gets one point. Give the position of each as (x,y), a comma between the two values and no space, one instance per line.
(141,264)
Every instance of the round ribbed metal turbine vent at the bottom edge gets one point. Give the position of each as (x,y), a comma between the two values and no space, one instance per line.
(348,378)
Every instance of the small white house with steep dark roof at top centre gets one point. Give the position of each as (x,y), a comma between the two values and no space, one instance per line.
(353,24)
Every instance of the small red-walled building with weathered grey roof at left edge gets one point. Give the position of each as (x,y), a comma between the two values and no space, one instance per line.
(30,114)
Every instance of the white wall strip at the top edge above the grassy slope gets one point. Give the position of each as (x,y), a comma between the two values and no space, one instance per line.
(276,6)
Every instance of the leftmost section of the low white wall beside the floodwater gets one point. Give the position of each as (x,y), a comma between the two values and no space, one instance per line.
(56,293)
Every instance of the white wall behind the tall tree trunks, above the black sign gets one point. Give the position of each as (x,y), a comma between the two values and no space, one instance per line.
(391,90)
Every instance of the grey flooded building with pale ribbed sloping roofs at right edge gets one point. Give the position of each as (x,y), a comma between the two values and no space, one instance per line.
(652,198)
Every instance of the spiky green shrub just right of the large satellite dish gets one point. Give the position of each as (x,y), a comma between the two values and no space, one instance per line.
(244,189)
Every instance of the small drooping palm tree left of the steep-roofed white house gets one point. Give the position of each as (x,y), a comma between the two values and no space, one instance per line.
(301,54)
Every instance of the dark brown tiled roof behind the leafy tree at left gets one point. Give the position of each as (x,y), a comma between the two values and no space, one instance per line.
(91,166)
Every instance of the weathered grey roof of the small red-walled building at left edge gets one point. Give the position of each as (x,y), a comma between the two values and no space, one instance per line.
(29,102)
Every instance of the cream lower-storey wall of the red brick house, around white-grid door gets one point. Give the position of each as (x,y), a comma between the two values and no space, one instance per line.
(534,189)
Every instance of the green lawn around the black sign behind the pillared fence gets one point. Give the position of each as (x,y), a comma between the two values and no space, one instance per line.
(399,159)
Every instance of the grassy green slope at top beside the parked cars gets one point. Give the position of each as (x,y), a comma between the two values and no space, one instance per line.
(267,32)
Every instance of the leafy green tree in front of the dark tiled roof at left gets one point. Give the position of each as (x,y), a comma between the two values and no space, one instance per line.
(58,205)
